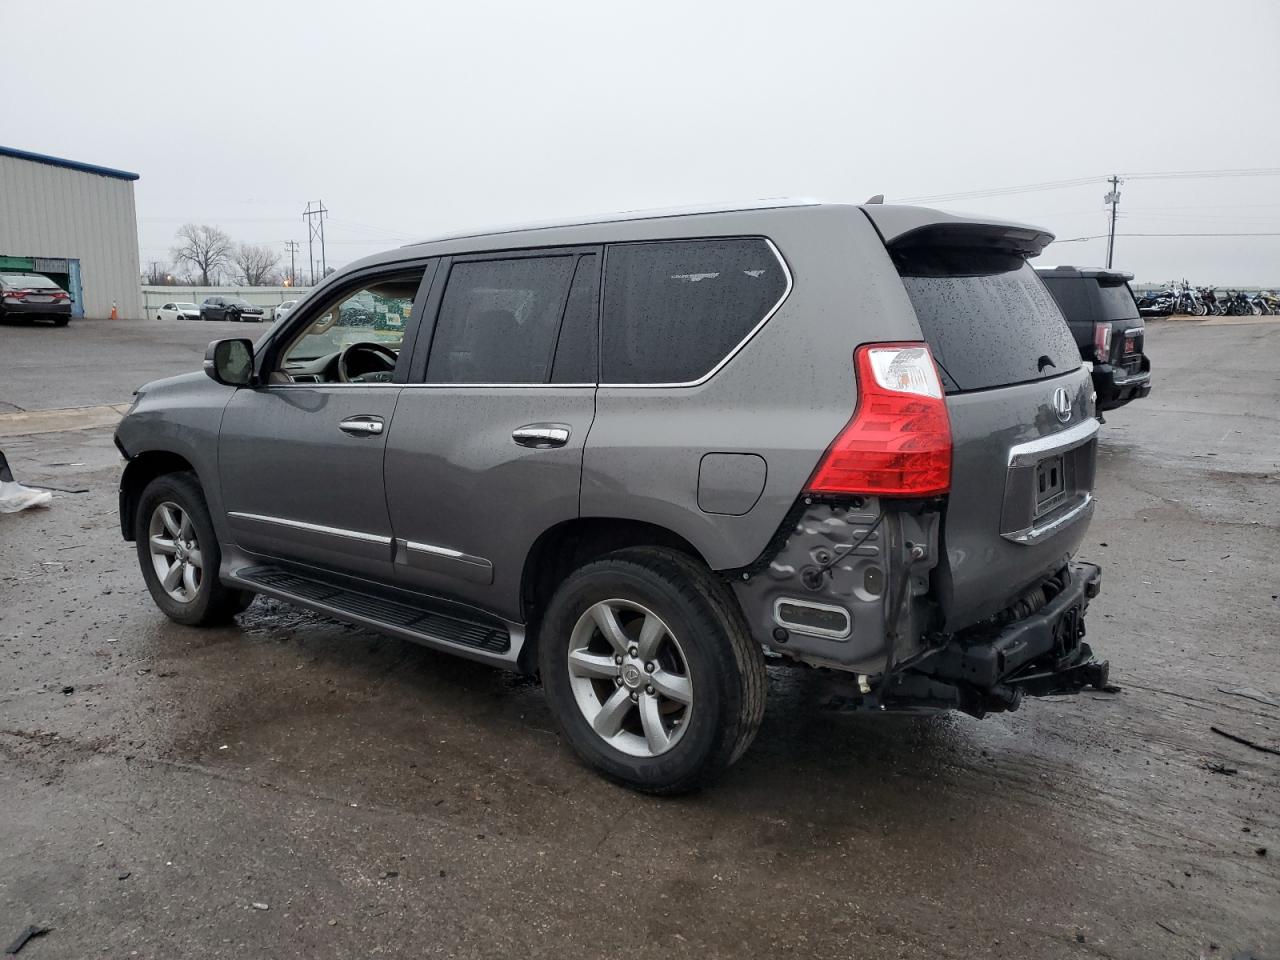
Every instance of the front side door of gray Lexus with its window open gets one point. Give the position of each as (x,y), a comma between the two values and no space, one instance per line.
(301,456)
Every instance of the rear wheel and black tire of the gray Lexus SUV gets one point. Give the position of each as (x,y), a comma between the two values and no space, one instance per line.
(703,651)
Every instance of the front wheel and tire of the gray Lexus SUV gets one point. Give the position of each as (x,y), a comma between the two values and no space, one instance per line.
(207,600)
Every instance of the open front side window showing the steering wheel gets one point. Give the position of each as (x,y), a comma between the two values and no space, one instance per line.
(377,314)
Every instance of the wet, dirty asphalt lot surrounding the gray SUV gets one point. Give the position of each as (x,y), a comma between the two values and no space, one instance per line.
(383,801)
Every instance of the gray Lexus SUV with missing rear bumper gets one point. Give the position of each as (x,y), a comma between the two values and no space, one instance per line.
(644,458)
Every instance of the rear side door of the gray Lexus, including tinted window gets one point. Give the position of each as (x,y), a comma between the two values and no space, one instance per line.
(486,452)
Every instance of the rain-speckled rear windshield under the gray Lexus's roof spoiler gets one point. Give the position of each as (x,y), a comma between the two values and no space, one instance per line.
(986,316)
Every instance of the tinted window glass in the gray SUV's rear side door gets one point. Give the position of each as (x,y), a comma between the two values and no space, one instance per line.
(499,321)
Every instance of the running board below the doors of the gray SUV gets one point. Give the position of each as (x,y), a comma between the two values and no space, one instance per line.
(491,641)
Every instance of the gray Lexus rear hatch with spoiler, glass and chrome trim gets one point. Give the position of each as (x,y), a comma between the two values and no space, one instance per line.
(1021,405)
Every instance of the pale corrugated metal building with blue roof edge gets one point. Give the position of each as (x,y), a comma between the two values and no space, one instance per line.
(75,223)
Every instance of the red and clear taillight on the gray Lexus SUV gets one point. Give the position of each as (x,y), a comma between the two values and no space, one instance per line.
(899,441)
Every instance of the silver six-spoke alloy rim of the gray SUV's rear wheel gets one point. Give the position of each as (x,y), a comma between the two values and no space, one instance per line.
(630,678)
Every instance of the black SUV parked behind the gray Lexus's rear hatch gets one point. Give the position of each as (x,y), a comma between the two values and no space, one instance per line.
(1100,309)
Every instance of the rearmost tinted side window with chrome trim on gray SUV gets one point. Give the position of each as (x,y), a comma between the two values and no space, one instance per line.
(675,310)
